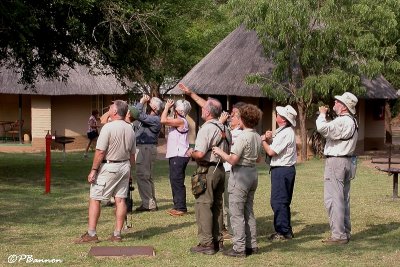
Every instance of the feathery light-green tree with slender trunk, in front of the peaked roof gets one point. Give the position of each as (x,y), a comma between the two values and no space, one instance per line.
(320,48)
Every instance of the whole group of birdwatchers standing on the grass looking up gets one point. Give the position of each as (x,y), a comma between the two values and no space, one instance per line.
(227,154)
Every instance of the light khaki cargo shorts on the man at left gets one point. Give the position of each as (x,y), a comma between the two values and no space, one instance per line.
(112,181)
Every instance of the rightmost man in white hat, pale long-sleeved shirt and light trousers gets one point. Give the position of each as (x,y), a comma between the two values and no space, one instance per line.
(341,138)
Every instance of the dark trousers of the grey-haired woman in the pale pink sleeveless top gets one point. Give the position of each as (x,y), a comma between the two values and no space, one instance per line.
(177,167)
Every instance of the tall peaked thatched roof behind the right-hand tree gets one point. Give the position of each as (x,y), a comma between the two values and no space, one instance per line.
(224,69)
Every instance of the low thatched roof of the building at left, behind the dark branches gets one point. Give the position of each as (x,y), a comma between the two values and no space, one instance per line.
(80,82)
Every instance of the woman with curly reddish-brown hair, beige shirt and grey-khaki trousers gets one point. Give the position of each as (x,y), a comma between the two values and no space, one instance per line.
(243,181)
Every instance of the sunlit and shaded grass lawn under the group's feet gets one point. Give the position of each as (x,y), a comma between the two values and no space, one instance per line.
(45,226)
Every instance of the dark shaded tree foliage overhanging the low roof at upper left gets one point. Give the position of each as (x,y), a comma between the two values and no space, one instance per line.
(40,37)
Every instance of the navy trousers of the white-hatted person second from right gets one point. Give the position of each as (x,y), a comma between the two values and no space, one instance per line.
(282,185)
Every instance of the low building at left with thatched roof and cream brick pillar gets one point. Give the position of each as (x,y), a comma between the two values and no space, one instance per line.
(54,106)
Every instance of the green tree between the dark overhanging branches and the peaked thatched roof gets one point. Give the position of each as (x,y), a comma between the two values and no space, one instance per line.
(185,31)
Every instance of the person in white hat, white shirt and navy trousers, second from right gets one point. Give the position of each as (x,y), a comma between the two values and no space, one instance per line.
(282,150)
